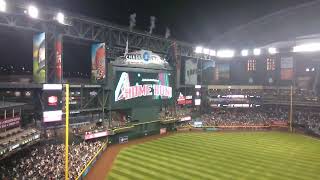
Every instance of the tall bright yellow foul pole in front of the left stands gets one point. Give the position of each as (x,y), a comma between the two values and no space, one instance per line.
(67,134)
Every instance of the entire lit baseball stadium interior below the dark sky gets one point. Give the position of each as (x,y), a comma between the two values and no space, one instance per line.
(90,99)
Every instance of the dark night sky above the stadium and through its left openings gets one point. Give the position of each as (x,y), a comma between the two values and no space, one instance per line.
(195,21)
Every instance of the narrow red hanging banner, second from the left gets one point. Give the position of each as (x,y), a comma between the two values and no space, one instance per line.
(58,49)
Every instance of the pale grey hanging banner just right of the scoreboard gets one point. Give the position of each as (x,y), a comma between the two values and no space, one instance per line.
(191,72)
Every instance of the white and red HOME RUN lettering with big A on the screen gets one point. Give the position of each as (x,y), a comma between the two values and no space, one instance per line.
(125,92)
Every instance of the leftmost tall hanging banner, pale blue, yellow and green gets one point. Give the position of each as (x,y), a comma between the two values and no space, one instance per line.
(39,58)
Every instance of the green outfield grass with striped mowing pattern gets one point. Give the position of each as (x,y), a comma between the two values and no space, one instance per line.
(236,155)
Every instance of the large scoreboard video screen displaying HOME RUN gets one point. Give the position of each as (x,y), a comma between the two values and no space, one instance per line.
(141,87)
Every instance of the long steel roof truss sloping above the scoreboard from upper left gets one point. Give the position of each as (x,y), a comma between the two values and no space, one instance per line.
(84,28)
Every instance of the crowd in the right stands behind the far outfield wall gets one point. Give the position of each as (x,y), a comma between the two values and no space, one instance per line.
(262,116)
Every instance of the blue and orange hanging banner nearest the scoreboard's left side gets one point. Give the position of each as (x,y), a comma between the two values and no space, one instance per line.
(98,62)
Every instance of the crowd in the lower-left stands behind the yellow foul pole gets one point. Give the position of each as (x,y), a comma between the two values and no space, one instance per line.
(46,161)
